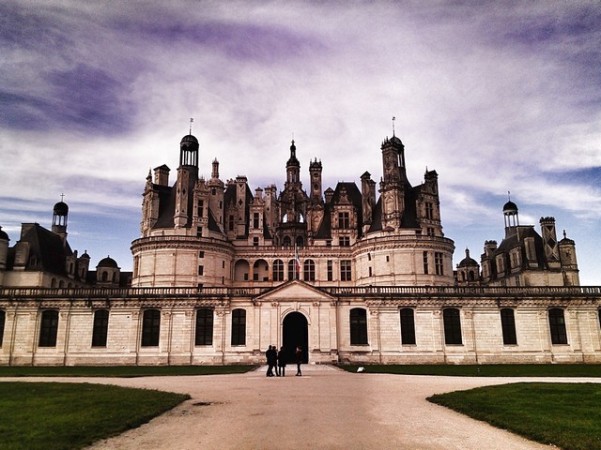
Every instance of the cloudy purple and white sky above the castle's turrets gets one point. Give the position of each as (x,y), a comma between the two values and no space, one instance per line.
(497,97)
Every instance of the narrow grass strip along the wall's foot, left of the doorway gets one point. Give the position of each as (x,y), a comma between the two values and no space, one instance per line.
(118,371)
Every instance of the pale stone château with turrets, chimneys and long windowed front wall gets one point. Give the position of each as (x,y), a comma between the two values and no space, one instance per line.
(221,272)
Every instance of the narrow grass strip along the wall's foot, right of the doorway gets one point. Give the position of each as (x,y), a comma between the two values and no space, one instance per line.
(486,370)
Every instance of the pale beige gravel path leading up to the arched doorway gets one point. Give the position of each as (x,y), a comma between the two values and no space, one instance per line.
(326,408)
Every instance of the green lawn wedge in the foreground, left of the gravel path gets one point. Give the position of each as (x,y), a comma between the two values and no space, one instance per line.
(71,416)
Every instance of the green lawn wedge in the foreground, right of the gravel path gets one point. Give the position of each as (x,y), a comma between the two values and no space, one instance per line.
(562,414)
